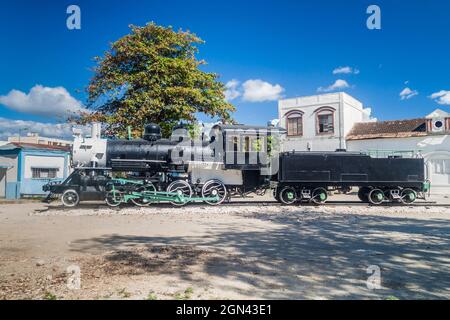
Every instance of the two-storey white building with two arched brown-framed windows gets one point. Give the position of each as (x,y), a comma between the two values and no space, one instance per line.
(319,123)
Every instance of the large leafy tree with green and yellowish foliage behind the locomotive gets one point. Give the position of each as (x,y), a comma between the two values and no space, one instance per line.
(153,75)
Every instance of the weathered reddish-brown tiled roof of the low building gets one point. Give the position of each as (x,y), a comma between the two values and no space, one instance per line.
(388,129)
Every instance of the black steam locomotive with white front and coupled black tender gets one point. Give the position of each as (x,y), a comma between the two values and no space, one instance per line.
(232,160)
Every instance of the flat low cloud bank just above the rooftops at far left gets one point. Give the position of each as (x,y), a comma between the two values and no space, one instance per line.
(10,128)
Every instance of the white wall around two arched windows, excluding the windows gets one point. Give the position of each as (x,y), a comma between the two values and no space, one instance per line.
(348,111)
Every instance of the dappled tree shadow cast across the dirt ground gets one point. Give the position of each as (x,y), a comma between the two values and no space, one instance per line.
(307,255)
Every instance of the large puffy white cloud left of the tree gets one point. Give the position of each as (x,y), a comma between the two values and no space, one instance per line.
(44,101)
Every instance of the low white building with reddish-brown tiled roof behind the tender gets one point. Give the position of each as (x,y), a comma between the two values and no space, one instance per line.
(429,136)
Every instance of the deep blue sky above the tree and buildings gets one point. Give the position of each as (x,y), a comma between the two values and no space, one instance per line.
(291,47)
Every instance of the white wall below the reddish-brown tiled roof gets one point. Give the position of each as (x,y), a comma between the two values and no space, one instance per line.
(434,149)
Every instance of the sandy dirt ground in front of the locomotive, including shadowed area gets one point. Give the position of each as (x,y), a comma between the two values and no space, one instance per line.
(230,252)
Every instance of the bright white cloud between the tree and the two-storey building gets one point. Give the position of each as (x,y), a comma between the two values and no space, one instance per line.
(259,91)
